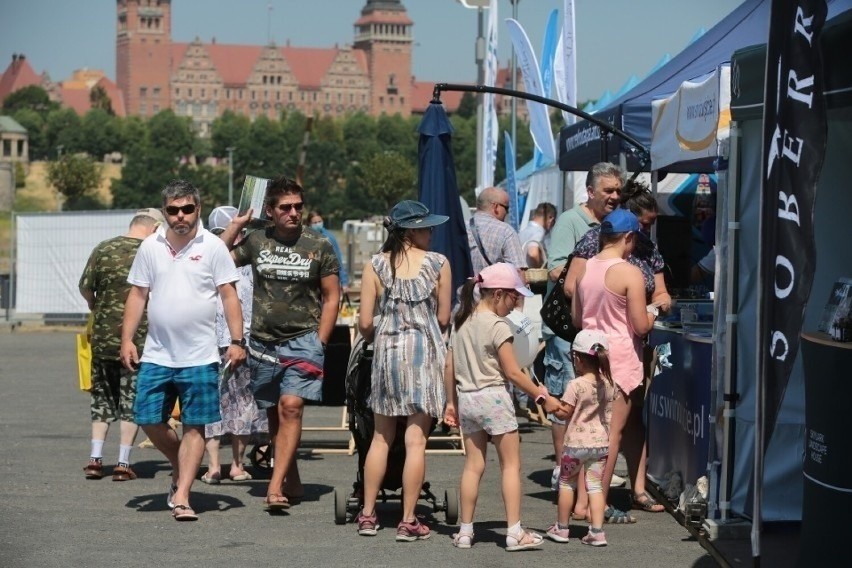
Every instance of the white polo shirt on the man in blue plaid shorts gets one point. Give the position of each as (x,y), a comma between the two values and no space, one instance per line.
(183,288)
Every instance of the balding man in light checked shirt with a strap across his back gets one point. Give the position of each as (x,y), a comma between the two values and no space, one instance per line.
(490,238)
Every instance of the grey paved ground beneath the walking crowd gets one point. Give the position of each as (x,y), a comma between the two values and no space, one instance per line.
(51,516)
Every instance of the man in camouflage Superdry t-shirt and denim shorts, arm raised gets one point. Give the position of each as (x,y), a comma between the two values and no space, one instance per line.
(294,309)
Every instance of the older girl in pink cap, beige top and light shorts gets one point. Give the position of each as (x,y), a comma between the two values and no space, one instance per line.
(481,363)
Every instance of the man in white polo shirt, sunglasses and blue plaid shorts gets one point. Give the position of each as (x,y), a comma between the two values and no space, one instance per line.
(179,272)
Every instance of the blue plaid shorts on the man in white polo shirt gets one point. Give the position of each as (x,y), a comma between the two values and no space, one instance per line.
(158,387)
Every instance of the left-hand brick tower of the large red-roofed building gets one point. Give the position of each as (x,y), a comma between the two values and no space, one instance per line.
(143,55)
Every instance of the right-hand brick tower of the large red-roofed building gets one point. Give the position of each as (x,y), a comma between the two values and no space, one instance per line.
(384,33)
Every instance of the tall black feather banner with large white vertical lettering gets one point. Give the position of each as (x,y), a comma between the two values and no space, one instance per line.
(794,141)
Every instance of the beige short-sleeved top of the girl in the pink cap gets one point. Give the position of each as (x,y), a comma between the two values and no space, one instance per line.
(475,348)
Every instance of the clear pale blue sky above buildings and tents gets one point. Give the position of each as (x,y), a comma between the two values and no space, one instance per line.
(615,38)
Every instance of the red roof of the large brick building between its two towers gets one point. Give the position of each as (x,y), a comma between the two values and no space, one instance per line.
(235,63)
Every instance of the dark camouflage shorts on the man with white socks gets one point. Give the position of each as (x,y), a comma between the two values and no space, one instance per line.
(113,391)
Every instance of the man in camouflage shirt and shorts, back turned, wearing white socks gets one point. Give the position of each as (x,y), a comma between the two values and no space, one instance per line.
(104,286)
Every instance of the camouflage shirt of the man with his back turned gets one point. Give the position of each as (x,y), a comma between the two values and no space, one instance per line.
(105,276)
